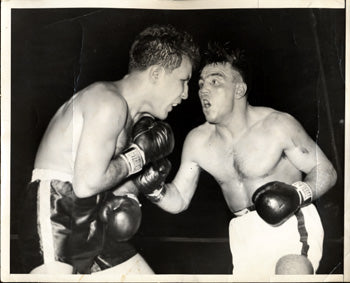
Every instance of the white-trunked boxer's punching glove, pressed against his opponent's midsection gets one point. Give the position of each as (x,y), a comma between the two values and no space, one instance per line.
(151,181)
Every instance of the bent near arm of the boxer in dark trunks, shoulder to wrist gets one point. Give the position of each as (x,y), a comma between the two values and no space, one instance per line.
(104,117)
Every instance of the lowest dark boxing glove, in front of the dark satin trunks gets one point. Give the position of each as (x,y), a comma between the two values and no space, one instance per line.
(122,216)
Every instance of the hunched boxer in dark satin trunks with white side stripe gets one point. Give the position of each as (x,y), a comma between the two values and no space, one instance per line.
(88,150)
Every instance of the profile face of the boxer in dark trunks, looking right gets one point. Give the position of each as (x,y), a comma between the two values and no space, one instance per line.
(173,88)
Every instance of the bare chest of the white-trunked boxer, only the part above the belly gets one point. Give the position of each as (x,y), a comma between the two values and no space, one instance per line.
(254,155)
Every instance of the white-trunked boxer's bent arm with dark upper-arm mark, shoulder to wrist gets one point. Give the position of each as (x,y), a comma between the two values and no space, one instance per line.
(305,154)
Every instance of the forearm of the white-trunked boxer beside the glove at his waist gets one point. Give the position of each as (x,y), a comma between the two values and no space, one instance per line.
(321,178)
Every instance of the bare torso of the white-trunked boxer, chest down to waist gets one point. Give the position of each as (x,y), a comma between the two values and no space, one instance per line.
(241,166)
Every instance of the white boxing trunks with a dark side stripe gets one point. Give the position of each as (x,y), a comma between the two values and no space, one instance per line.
(257,246)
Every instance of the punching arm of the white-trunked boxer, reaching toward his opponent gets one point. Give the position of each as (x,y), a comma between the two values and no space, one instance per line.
(180,191)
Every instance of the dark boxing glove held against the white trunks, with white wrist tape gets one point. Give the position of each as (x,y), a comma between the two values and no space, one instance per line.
(275,202)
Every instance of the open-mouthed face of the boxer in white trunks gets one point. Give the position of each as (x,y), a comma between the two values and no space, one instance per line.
(217,86)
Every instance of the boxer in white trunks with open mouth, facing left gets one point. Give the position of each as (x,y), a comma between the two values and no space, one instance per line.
(258,156)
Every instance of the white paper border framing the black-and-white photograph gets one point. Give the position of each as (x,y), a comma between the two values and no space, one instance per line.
(6,7)
